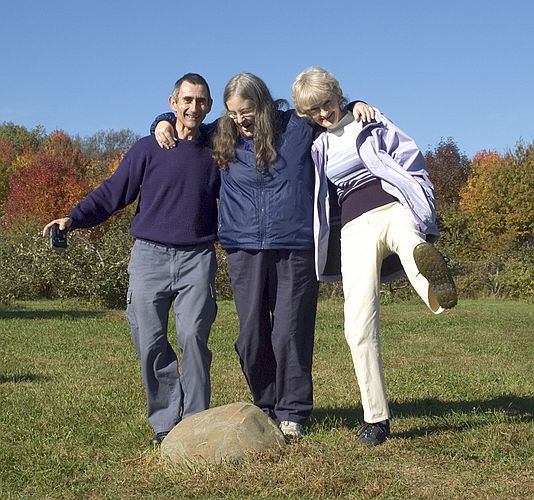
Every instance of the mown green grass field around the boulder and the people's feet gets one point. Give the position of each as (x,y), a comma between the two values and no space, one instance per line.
(461,388)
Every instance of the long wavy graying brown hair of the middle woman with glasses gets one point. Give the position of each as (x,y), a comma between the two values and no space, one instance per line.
(250,87)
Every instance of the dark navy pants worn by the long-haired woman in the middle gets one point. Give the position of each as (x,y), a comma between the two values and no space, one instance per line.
(275,293)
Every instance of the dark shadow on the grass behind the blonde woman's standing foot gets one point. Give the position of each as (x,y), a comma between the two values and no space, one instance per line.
(519,407)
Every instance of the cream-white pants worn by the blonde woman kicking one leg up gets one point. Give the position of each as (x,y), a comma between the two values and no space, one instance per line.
(365,242)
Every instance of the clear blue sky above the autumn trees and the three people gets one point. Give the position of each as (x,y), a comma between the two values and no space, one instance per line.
(457,68)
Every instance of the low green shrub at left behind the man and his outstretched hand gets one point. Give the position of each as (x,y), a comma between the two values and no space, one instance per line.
(94,267)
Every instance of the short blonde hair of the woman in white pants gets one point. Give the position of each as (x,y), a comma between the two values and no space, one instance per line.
(312,86)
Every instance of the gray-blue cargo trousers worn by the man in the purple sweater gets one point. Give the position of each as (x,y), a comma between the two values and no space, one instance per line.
(161,277)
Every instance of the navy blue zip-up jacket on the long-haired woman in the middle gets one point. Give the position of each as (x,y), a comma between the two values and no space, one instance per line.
(271,211)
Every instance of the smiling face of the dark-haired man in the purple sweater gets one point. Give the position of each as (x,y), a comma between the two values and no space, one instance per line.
(191,105)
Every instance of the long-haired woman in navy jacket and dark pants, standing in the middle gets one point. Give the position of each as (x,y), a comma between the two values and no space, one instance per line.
(265,226)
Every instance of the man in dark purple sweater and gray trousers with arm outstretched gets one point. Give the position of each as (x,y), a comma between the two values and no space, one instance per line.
(173,259)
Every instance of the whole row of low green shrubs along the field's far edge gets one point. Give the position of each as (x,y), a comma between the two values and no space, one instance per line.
(94,268)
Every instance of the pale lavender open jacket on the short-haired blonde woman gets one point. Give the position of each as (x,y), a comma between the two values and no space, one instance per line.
(393,157)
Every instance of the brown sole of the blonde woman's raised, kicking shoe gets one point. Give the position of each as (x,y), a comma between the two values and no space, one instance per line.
(433,267)
